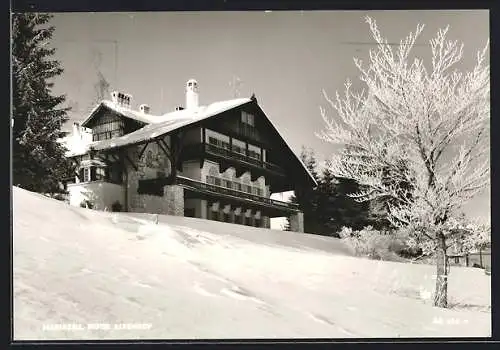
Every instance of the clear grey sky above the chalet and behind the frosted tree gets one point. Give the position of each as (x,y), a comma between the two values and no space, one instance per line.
(285,57)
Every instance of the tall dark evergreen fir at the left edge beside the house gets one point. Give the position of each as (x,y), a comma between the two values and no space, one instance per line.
(38,159)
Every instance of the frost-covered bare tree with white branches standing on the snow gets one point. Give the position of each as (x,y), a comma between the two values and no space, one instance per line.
(433,120)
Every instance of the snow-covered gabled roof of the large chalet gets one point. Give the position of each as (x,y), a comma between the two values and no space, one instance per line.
(158,125)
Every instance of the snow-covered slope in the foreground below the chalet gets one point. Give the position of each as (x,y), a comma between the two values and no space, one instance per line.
(189,278)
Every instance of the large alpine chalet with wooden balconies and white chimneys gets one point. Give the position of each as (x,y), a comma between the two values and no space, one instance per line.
(216,162)
